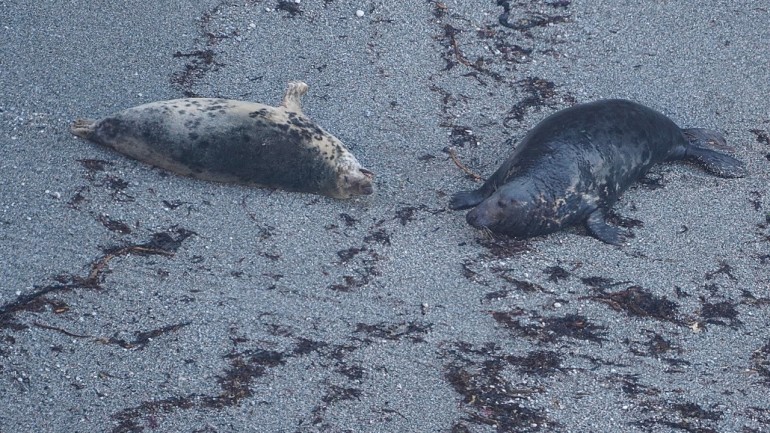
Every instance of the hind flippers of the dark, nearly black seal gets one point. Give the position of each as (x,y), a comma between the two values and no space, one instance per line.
(700,152)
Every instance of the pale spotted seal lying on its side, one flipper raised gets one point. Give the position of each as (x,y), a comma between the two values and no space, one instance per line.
(225,140)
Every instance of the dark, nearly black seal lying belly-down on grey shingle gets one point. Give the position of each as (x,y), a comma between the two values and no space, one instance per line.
(572,167)
